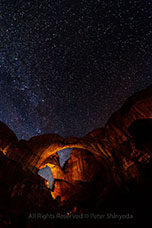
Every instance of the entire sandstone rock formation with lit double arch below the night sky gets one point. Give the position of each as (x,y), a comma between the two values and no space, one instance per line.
(109,169)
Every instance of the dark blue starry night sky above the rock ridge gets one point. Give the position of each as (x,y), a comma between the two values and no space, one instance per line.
(66,66)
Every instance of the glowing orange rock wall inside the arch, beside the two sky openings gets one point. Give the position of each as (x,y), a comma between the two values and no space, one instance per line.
(79,170)
